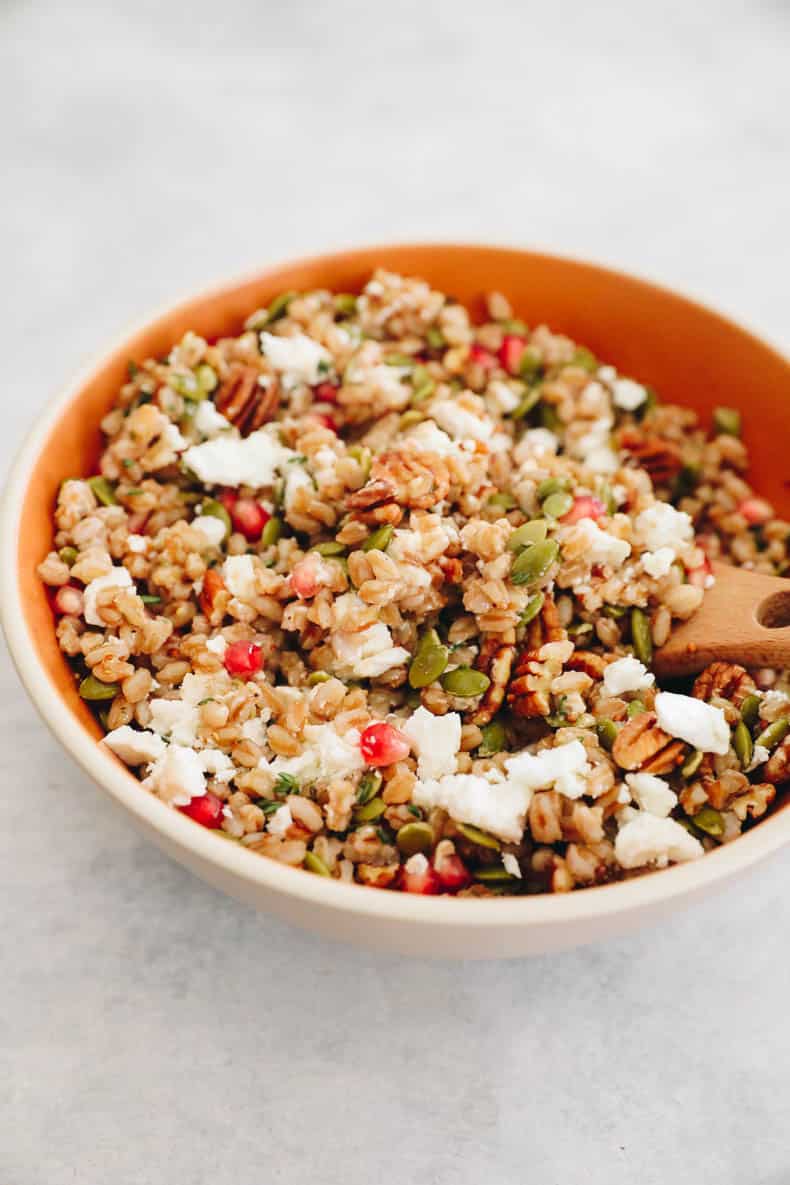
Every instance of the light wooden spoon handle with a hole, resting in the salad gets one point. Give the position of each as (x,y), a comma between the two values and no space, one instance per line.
(744,618)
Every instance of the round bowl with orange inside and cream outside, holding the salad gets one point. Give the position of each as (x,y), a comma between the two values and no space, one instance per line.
(690,354)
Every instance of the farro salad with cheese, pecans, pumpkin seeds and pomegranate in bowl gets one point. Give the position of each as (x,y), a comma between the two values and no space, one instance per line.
(374,592)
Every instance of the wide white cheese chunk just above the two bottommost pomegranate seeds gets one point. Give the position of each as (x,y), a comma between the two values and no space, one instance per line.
(498,808)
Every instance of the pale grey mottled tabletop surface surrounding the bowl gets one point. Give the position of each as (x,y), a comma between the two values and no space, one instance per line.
(152,1030)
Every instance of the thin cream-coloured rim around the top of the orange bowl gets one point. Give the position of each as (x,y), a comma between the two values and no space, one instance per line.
(539,912)
